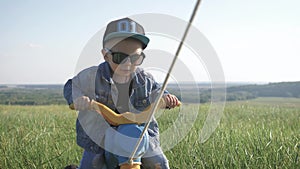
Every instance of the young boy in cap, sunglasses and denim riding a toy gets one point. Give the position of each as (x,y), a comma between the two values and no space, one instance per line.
(119,84)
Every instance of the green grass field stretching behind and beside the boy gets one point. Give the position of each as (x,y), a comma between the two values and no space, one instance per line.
(260,133)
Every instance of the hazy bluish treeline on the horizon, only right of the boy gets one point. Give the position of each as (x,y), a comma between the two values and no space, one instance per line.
(240,92)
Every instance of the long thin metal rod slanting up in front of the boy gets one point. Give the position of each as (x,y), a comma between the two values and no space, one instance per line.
(163,88)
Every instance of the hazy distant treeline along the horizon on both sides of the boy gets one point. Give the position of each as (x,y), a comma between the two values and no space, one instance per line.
(52,94)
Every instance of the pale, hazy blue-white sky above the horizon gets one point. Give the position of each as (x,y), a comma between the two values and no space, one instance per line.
(255,41)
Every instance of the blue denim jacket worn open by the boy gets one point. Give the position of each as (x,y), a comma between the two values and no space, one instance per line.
(96,83)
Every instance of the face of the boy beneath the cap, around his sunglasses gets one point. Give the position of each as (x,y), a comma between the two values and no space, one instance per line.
(127,46)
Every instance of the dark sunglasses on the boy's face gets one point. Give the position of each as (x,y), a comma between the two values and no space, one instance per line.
(119,57)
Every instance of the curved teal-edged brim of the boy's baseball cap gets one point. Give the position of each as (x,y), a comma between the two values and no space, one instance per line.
(140,37)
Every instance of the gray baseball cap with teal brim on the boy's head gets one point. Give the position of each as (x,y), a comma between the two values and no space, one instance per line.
(125,28)
